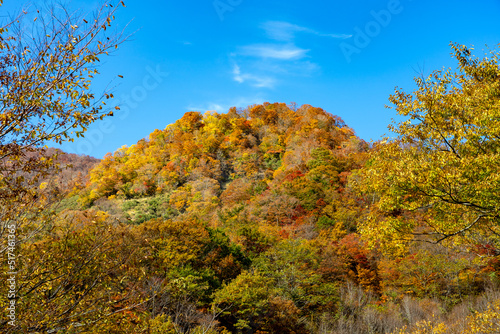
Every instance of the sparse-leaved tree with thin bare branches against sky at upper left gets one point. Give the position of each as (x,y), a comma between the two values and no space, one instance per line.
(48,61)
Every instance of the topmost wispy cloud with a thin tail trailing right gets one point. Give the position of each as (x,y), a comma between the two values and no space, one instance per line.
(285,31)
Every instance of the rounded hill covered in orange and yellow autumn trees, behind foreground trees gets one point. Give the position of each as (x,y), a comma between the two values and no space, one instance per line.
(284,167)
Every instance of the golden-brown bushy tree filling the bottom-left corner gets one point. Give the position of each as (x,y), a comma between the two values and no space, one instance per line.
(75,275)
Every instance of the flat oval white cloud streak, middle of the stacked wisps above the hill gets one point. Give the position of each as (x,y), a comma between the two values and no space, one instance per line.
(274,51)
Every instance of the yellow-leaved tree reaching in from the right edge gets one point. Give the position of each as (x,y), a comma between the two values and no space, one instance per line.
(440,178)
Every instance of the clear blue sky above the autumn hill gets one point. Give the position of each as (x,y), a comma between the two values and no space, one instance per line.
(343,56)
